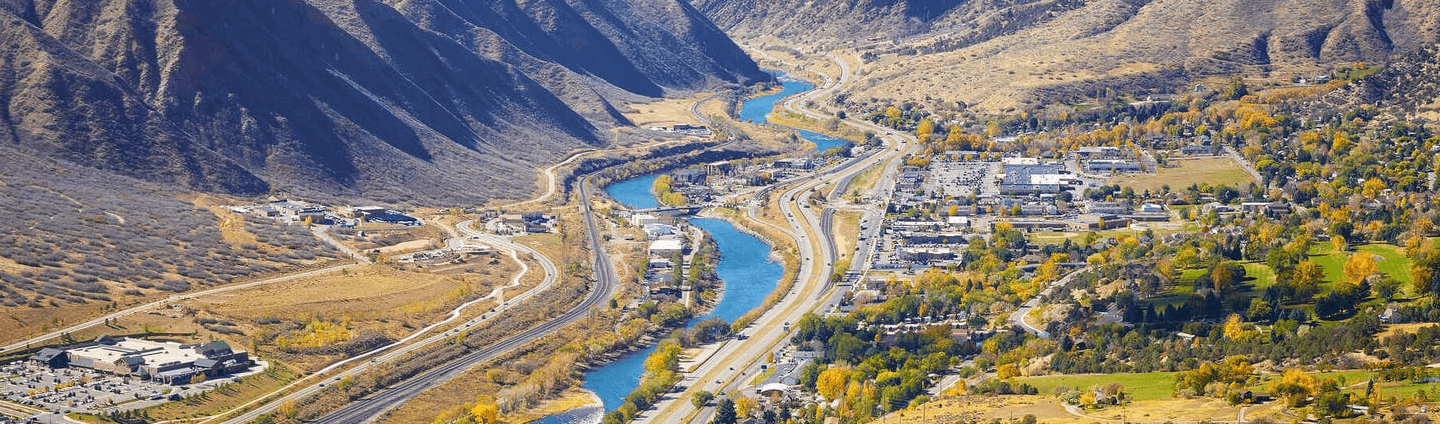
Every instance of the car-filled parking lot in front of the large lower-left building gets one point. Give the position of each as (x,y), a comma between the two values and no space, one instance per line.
(77,390)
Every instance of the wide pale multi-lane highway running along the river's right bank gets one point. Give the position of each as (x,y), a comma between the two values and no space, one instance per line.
(738,361)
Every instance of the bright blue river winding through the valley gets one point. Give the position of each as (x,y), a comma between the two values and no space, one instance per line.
(745,268)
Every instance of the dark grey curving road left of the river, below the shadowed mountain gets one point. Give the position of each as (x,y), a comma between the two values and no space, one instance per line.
(372,407)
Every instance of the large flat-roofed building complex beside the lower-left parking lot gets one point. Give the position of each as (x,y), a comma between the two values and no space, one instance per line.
(165,363)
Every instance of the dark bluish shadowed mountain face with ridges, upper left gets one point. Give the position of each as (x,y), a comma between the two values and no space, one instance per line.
(424,100)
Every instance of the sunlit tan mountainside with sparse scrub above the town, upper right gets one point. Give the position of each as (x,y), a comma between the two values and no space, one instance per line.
(1016,54)
